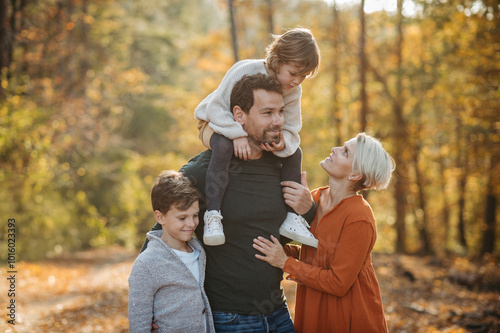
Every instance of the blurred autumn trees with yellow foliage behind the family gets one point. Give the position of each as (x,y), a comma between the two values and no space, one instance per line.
(96,98)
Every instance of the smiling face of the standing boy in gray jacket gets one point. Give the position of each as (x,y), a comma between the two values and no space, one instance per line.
(178,225)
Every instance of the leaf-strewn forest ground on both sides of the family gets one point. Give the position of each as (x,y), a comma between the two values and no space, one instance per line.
(87,292)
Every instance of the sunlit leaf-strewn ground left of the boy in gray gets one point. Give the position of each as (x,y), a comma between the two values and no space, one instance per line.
(83,292)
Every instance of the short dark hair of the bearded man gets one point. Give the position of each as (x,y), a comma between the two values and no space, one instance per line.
(242,93)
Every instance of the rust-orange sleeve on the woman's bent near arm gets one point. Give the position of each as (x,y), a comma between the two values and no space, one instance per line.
(344,263)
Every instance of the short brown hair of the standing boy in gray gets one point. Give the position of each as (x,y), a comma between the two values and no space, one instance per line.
(172,188)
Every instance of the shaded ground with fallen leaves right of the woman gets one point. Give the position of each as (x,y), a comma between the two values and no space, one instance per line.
(421,295)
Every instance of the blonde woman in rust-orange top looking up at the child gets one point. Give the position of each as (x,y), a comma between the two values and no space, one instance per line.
(337,287)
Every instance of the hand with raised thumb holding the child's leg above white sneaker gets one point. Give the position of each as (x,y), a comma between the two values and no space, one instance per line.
(297,195)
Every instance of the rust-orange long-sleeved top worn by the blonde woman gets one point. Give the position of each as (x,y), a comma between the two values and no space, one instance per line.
(338,290)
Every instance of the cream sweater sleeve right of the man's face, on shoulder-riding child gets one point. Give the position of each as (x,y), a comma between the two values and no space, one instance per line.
(293,122)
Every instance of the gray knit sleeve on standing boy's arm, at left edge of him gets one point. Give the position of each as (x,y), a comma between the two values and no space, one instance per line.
(141,297)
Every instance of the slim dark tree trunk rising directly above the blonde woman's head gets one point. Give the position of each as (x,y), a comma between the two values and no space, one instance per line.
(362,69)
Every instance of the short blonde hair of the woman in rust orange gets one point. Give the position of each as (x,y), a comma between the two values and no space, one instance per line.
(373,163)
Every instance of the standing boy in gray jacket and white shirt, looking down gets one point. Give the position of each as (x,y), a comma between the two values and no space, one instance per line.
(166,282)
